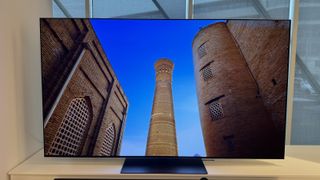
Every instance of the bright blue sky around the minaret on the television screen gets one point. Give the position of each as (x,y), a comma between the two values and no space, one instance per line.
(132,47)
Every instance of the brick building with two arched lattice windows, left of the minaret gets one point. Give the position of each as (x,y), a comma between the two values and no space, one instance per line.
(84,106)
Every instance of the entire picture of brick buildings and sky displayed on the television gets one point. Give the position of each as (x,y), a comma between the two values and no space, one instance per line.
(214,88)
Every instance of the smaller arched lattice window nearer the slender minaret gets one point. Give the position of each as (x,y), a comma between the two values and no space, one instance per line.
(108,141)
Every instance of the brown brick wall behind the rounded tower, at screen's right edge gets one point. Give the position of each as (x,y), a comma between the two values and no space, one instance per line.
(268,62)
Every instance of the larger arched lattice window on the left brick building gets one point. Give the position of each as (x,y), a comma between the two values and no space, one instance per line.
(72,129)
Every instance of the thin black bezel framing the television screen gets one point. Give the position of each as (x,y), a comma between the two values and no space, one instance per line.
(170,157)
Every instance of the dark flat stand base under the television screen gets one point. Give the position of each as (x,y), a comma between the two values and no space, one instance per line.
(163,166)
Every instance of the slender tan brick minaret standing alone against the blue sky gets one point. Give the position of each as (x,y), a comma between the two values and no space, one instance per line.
(162,133)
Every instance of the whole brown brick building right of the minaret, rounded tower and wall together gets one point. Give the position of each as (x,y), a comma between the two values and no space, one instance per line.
(241,72)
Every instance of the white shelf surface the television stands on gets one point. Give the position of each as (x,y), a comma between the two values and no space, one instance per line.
(301,162)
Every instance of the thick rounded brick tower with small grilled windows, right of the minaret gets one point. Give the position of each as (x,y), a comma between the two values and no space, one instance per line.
(235,122)
